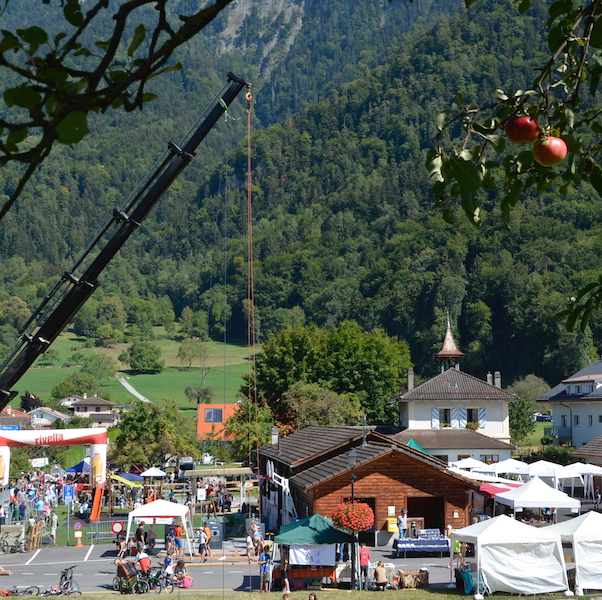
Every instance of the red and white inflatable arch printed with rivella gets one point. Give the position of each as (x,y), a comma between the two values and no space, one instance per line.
(96,437)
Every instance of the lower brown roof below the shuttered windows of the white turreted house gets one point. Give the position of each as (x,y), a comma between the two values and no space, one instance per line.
(452,438)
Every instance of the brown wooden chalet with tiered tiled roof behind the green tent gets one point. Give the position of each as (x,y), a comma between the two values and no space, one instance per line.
(308,472)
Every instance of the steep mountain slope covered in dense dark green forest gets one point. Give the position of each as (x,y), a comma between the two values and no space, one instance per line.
(343,226)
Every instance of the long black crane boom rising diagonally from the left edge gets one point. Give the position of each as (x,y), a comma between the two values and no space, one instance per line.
(51,318)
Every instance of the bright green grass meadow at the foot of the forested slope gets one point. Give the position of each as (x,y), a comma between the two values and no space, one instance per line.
(227,364)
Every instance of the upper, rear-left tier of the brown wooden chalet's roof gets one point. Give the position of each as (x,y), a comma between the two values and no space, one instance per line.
(310,442)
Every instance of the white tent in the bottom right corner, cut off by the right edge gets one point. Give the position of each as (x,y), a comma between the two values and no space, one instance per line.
(585,533)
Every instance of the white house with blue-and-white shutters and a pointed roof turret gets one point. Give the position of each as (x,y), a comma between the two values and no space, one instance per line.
(455,415)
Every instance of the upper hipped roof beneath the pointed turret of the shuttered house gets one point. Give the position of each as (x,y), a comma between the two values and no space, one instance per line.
(455,385)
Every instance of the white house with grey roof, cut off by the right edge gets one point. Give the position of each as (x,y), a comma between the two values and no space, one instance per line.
(576,407)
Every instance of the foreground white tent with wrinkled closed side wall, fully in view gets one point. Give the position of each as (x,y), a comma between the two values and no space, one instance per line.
(516,558)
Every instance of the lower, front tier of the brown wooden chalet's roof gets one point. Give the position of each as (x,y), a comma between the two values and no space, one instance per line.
(339,464)
